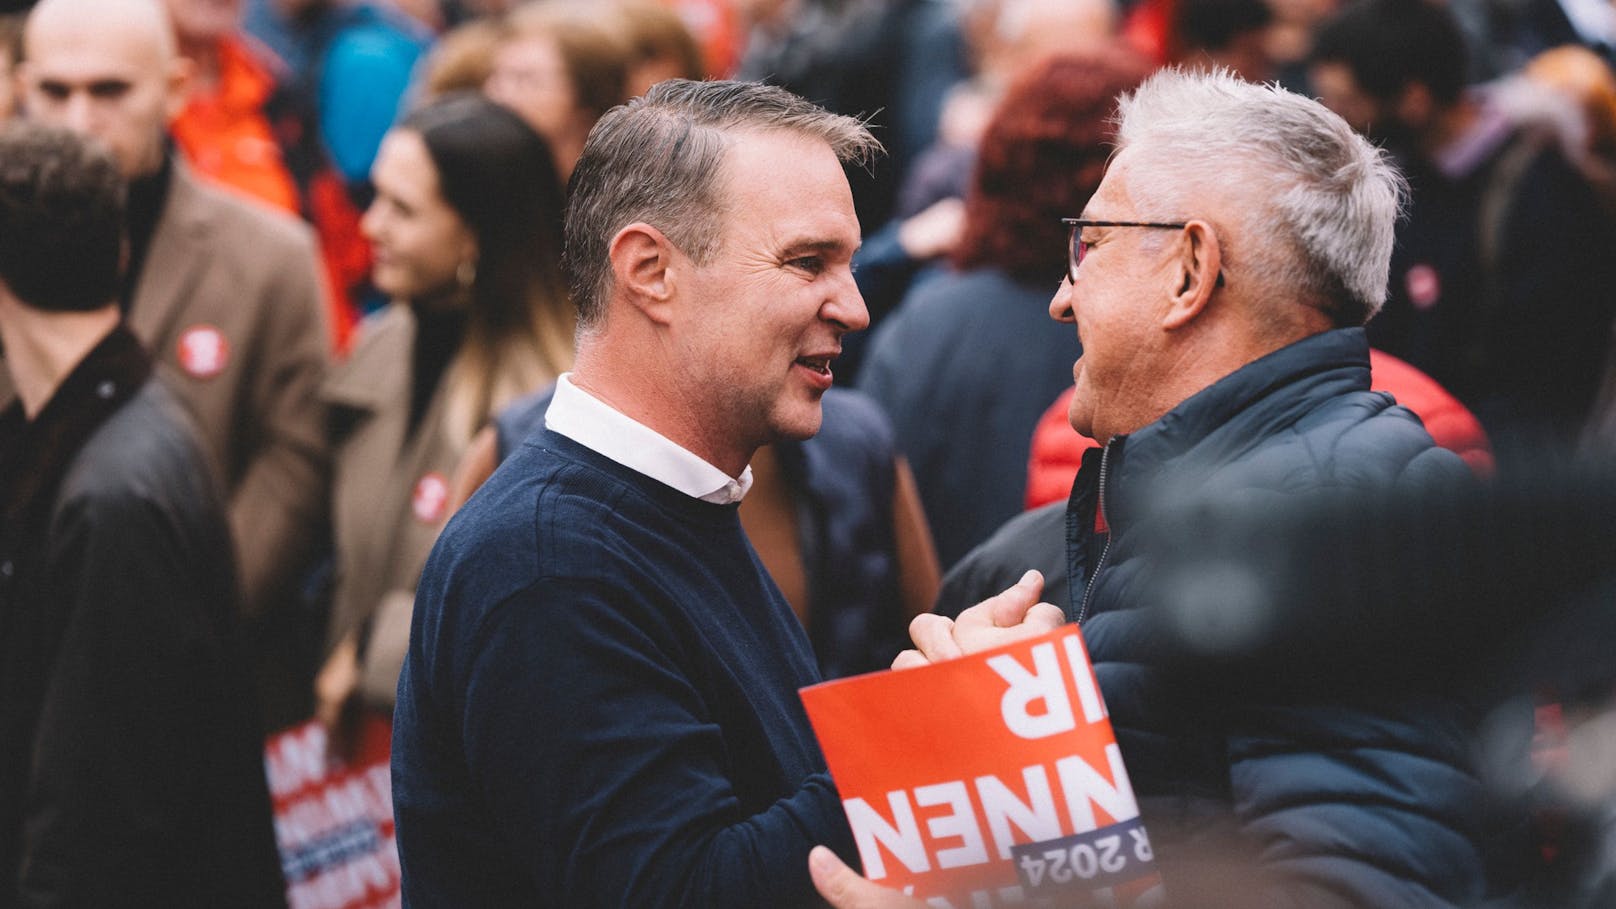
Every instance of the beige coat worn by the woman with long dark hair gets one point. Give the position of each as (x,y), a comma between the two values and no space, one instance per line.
(389,497)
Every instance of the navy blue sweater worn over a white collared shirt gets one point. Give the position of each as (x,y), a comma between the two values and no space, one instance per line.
(600,703)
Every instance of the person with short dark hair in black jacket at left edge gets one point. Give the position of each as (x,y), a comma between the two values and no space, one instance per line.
(132,756)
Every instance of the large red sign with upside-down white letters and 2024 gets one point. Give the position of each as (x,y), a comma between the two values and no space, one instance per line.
(988,780)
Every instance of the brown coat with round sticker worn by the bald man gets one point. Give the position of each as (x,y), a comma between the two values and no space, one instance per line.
(230,307)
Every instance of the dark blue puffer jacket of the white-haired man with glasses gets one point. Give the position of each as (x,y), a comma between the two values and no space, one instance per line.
(1357,800)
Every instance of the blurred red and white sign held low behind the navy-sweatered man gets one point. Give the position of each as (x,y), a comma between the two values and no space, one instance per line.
(334,821)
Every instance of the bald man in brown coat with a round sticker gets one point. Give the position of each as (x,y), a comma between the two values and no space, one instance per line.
(225,295)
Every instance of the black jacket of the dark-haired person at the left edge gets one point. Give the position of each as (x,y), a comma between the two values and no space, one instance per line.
(132,772)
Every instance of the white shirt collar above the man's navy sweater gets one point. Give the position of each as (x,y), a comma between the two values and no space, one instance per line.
(610,433)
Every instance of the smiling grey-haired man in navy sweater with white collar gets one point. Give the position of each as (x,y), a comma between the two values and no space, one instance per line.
(599,706)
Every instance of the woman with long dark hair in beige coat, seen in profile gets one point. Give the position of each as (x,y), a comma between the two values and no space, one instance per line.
(468,239)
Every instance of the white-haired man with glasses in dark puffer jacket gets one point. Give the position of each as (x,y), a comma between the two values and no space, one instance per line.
(1219,281)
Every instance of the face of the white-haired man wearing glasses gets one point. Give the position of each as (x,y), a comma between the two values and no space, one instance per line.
(1116,302)
